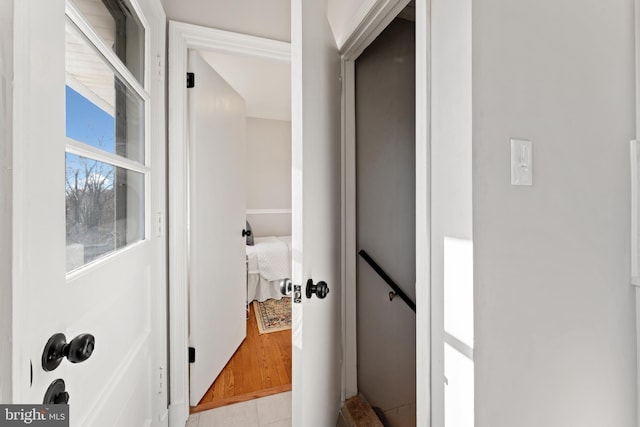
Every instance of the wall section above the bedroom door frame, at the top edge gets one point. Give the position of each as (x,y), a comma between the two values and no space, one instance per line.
(270,19)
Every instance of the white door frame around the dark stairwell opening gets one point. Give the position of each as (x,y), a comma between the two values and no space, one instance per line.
(375,21)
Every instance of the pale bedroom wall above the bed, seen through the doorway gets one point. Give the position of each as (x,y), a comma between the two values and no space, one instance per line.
(268,165)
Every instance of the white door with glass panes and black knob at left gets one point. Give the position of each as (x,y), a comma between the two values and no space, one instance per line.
(85,257)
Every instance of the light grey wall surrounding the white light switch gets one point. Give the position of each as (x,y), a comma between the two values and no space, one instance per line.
(555,333)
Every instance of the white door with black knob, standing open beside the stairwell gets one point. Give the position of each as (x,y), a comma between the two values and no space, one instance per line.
(316,215)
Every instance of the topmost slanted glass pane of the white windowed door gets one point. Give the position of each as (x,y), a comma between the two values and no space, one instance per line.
(116,23)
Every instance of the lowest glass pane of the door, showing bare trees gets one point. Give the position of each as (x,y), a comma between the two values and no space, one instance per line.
(104,209)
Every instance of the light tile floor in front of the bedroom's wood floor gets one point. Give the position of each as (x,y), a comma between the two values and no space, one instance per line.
(270,411)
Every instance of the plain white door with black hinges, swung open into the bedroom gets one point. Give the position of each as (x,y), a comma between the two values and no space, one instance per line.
(217,207)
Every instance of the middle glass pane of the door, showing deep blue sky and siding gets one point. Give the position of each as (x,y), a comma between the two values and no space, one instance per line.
(101,110)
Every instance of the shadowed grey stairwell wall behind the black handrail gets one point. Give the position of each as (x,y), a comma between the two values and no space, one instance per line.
(385,198)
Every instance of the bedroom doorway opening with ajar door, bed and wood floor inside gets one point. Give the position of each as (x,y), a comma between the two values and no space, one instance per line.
(257,176)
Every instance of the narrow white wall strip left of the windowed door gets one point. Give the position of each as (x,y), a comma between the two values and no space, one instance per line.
(6,117)
